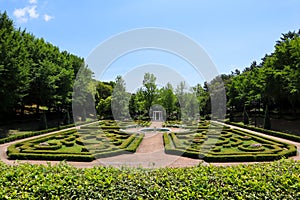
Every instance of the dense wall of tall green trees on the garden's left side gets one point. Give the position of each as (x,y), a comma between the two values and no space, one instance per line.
(33,72)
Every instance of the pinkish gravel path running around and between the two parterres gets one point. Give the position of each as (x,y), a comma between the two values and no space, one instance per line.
(150,154)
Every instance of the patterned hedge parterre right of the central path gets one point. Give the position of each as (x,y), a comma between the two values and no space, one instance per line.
(225,145)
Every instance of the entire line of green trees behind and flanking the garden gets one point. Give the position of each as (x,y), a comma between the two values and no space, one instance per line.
(35,72)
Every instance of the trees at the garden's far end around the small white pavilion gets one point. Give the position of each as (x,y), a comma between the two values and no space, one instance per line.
(179,102)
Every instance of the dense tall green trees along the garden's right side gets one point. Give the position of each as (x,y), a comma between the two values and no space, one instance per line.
(274,82)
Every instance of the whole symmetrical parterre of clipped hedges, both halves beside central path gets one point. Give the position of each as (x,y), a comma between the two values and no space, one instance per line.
(204,140)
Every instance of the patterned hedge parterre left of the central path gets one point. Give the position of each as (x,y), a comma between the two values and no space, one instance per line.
(85,144)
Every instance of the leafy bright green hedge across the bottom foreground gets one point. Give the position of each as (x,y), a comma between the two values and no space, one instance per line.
(277,180)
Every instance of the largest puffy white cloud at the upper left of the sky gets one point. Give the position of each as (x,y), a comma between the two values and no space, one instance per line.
(23,14)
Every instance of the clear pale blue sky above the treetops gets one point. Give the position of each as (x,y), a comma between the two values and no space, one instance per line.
(233,32)
